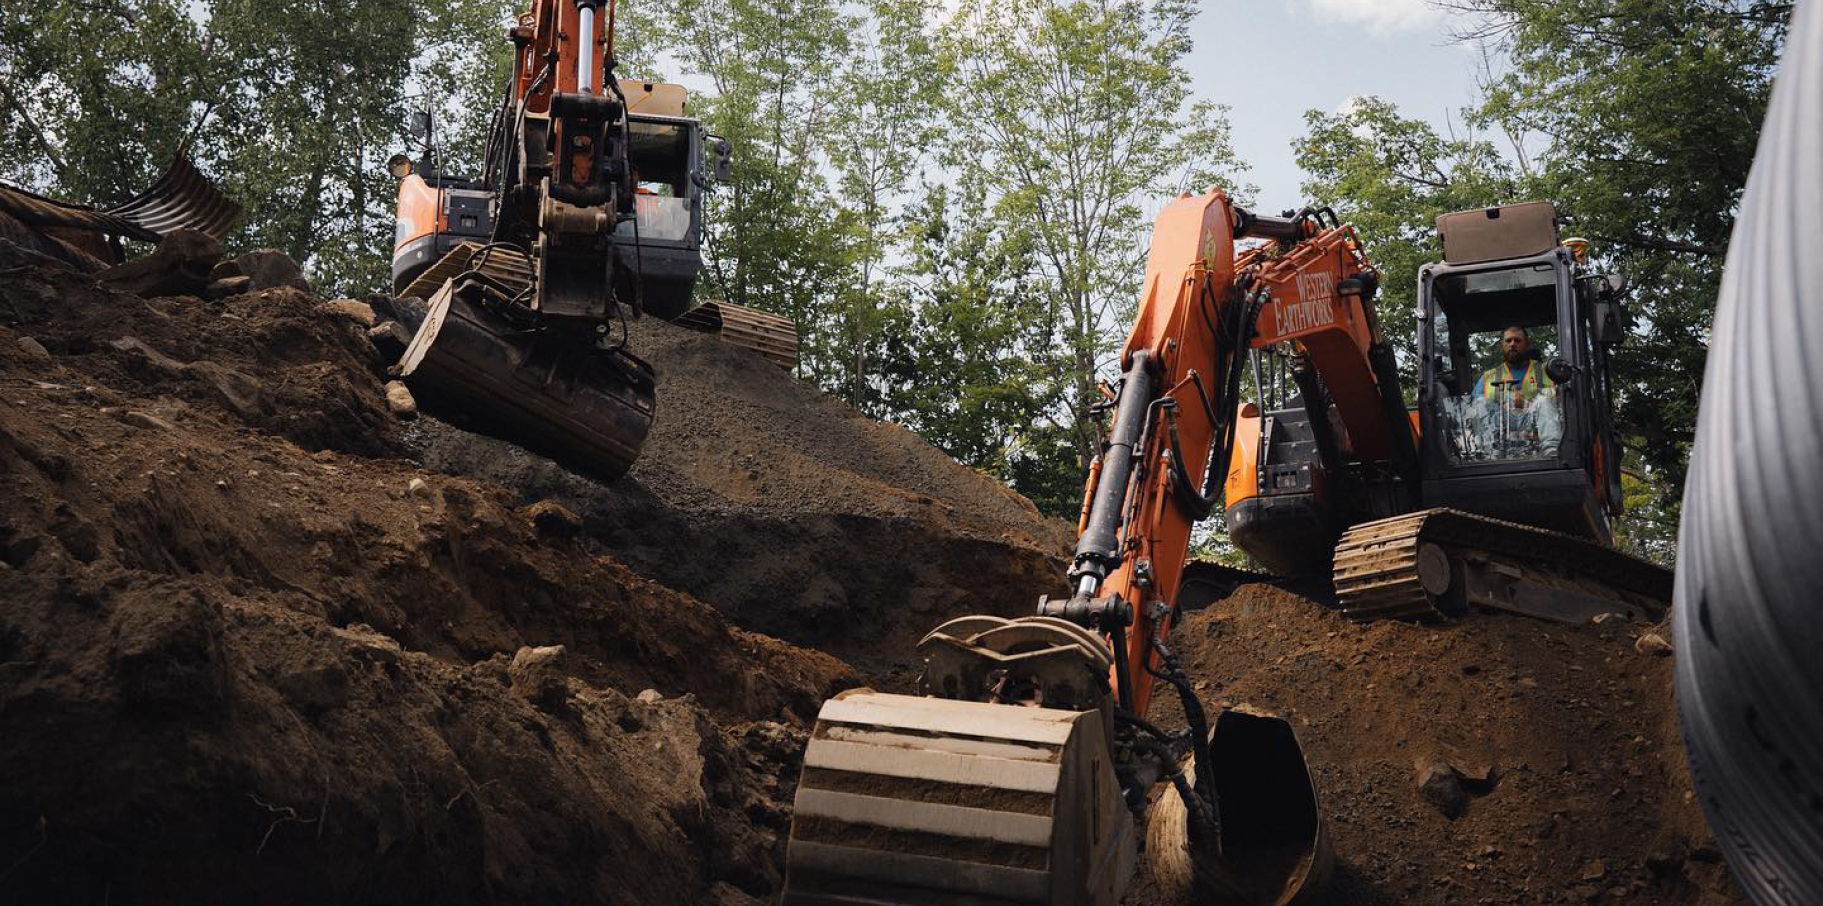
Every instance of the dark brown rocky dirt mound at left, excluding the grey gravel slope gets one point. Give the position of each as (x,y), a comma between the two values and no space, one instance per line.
(247,654)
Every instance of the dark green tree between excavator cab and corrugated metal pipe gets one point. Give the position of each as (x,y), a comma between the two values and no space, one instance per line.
(1645,116)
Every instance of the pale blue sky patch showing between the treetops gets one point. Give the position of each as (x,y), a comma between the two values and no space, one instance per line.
(1273,59)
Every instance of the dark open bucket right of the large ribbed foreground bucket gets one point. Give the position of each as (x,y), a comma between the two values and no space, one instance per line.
(1273,847)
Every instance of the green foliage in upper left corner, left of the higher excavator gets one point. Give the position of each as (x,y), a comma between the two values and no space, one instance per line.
(294,110)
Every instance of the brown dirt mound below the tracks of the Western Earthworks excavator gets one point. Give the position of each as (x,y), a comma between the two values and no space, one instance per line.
(1556,763)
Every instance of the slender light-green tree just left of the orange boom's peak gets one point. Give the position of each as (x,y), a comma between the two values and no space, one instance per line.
(1076,114)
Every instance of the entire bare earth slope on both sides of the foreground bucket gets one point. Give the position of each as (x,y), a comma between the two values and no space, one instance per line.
(262,643)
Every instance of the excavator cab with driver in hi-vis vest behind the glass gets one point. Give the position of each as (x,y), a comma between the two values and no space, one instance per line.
(1514,389)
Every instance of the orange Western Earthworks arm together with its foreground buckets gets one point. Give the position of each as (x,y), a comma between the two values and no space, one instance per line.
(1029,767)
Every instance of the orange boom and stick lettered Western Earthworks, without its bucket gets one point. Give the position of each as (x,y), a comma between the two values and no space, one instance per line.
(1308,285)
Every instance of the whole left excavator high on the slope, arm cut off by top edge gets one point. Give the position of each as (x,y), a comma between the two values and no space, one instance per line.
(590,212)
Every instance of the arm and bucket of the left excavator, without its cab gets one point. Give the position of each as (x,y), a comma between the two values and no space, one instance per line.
(526,336)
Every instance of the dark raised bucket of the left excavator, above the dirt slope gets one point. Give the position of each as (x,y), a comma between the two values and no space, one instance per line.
(584,406)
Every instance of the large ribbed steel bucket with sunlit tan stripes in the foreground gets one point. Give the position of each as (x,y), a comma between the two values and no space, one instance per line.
(934,801)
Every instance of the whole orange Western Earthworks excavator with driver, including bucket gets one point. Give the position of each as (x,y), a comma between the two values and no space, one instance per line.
(1025,770)
